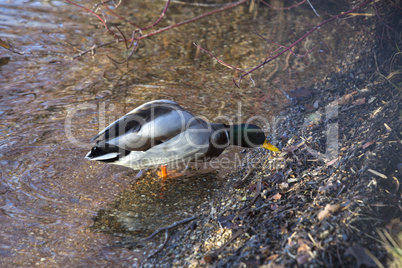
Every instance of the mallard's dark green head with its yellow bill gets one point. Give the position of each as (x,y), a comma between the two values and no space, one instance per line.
(249,135)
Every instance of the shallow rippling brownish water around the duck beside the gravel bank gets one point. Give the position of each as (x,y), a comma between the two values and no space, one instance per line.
(51,106)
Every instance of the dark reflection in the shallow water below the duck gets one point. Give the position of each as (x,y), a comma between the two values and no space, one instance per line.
(152,203)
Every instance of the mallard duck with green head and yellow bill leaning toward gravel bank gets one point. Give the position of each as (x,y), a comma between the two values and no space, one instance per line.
(161,132)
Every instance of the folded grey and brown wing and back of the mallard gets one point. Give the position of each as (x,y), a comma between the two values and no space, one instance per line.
(146,126)
